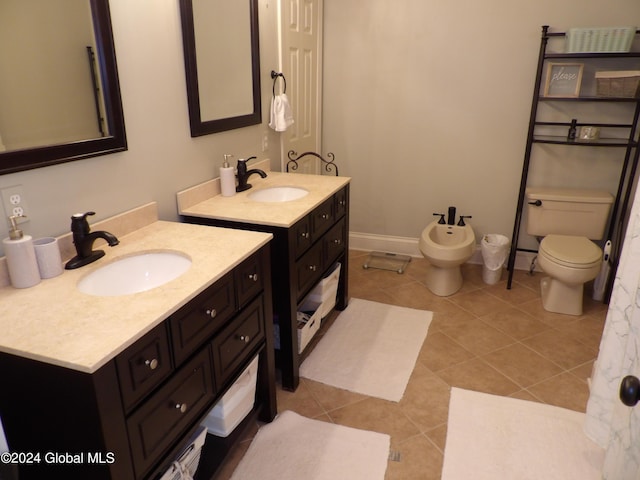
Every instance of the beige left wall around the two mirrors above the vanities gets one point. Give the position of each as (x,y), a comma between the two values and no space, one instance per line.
(162,158)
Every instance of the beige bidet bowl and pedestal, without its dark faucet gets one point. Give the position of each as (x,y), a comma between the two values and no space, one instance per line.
(446,247)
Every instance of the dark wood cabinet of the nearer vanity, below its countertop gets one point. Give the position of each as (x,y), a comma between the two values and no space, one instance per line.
(130,418)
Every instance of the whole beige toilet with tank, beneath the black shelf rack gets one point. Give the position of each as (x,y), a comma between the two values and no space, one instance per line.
(566,221)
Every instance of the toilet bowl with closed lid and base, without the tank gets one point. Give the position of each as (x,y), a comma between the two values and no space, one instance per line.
(570,262)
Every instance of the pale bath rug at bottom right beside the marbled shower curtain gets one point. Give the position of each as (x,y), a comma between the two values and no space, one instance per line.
(491,437)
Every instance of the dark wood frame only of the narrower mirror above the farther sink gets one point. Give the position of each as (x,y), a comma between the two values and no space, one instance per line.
(201,127)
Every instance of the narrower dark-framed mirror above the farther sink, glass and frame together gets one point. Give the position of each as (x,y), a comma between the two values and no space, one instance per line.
(222,64)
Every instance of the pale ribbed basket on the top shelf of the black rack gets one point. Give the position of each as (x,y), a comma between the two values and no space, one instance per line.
(599,39)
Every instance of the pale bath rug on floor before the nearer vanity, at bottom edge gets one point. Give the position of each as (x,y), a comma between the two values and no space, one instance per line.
(293,447)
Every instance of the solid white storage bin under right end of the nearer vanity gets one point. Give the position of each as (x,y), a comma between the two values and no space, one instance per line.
(235,404)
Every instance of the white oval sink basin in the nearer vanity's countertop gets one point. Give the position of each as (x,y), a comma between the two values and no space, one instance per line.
(135,273)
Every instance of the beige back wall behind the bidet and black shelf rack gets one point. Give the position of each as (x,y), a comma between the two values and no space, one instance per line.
(426,105)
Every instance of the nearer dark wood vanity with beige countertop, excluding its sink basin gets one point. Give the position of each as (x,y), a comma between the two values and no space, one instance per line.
(113,387)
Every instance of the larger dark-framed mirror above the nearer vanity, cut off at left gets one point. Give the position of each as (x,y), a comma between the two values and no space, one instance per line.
(59,90)
